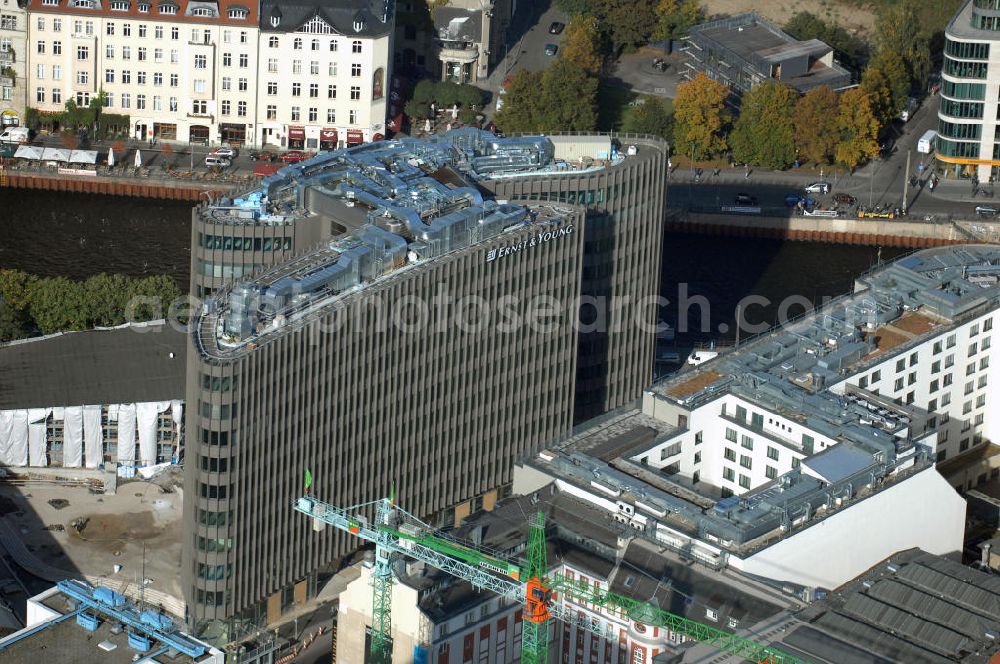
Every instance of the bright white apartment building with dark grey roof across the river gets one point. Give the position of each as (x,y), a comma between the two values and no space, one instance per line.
(324,72)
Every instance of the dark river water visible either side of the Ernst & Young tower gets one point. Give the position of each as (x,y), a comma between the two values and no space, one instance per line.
(77,235)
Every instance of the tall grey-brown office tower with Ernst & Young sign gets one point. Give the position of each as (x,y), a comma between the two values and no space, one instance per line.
(294,367)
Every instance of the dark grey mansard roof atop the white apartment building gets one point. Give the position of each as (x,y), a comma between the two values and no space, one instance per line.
(339,14)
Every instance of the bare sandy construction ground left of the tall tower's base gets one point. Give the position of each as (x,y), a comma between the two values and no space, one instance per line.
(116,528)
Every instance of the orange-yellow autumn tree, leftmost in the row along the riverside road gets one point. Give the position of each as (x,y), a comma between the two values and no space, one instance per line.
(700,116)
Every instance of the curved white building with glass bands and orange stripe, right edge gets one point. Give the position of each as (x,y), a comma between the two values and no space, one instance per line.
(967,141)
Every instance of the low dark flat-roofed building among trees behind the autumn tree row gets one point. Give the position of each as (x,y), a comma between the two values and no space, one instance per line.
(742,51)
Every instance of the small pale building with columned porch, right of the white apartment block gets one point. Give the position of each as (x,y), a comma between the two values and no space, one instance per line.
(471,36)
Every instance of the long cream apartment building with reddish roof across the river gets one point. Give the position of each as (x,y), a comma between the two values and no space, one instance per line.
(182,70)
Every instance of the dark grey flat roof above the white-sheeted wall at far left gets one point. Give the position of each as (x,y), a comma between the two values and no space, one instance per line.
(96,367)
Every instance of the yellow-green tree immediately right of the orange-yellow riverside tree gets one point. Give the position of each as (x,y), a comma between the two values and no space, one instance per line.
(764,134)
